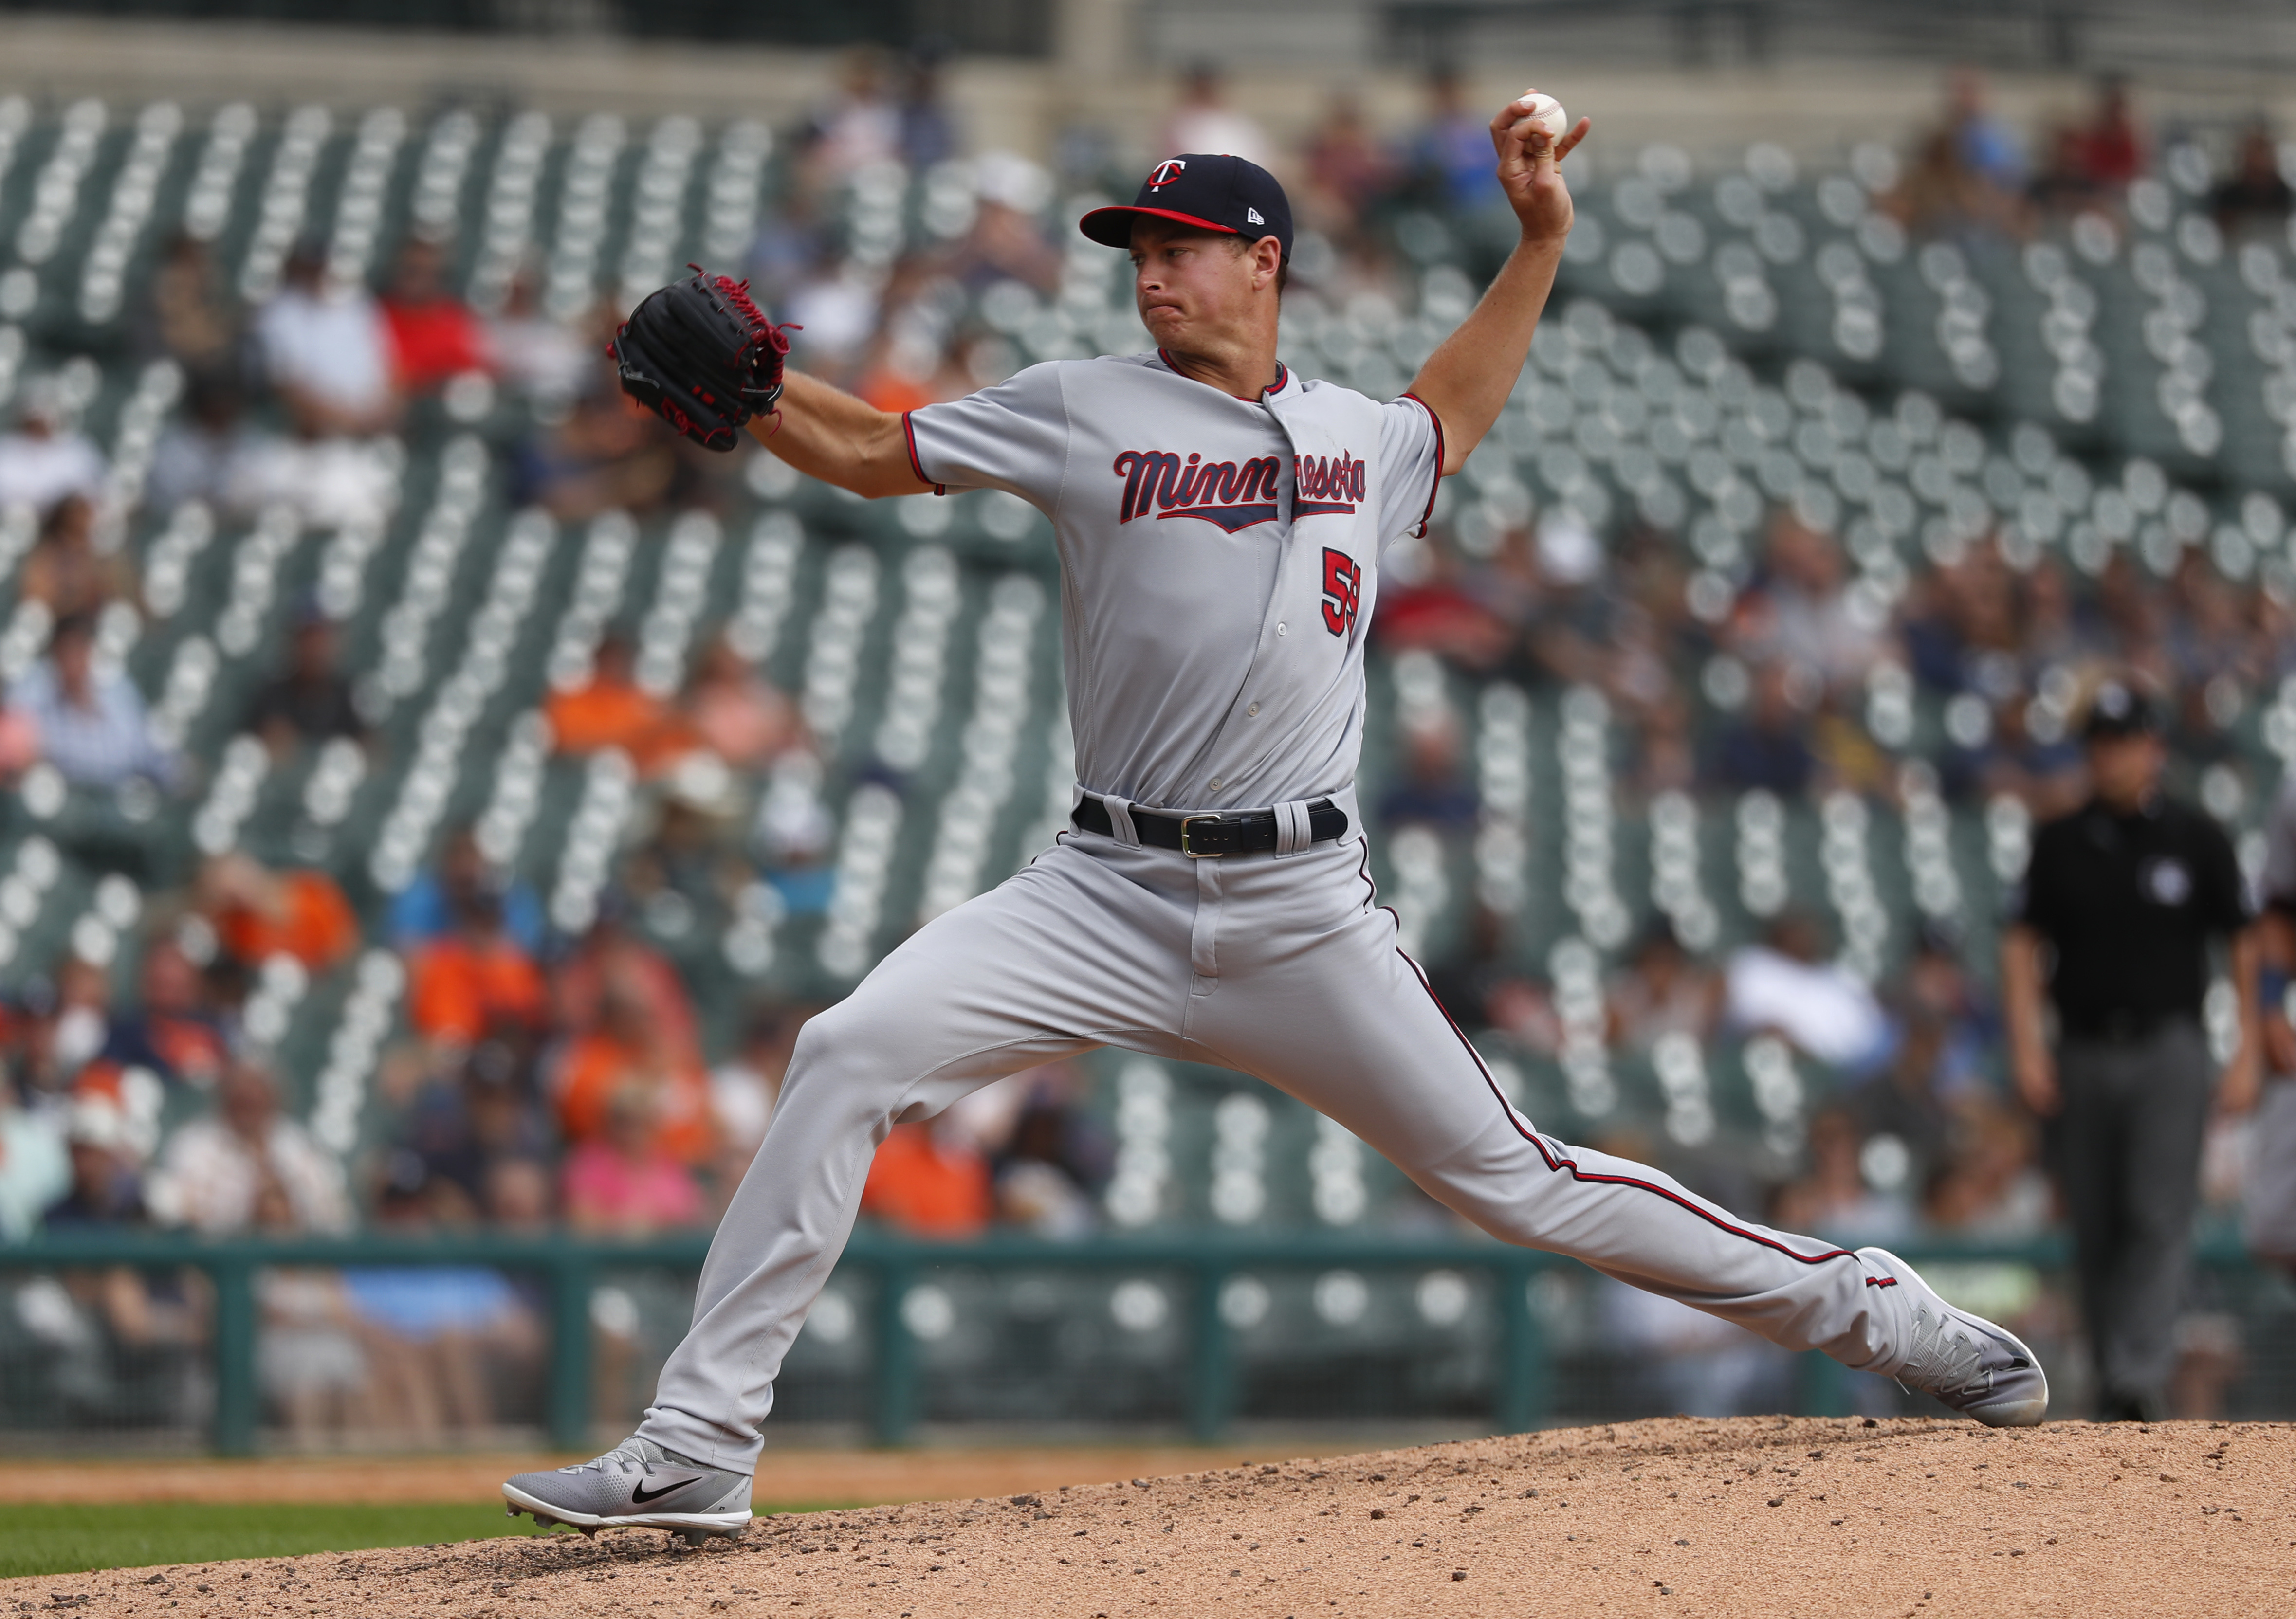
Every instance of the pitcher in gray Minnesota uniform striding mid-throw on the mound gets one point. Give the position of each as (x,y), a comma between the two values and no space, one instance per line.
(1220,525)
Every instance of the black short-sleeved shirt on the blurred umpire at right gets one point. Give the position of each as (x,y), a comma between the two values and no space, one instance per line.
(2130,906)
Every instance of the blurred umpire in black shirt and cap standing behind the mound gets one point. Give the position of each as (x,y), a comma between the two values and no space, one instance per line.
(2113,924)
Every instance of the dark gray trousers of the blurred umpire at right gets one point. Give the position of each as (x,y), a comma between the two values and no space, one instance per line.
(2127,1152)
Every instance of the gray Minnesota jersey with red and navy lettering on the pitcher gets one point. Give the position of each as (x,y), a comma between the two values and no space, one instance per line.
(1218,564)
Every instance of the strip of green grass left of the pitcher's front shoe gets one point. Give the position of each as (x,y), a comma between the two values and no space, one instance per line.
(68,1540)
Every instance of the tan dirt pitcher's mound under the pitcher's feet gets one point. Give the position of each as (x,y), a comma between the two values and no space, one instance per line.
(1753,1517)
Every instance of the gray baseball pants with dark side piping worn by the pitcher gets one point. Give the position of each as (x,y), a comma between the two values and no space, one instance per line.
(1280,968)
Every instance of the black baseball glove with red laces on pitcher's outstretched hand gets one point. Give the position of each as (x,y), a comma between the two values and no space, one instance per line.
(701,357)
